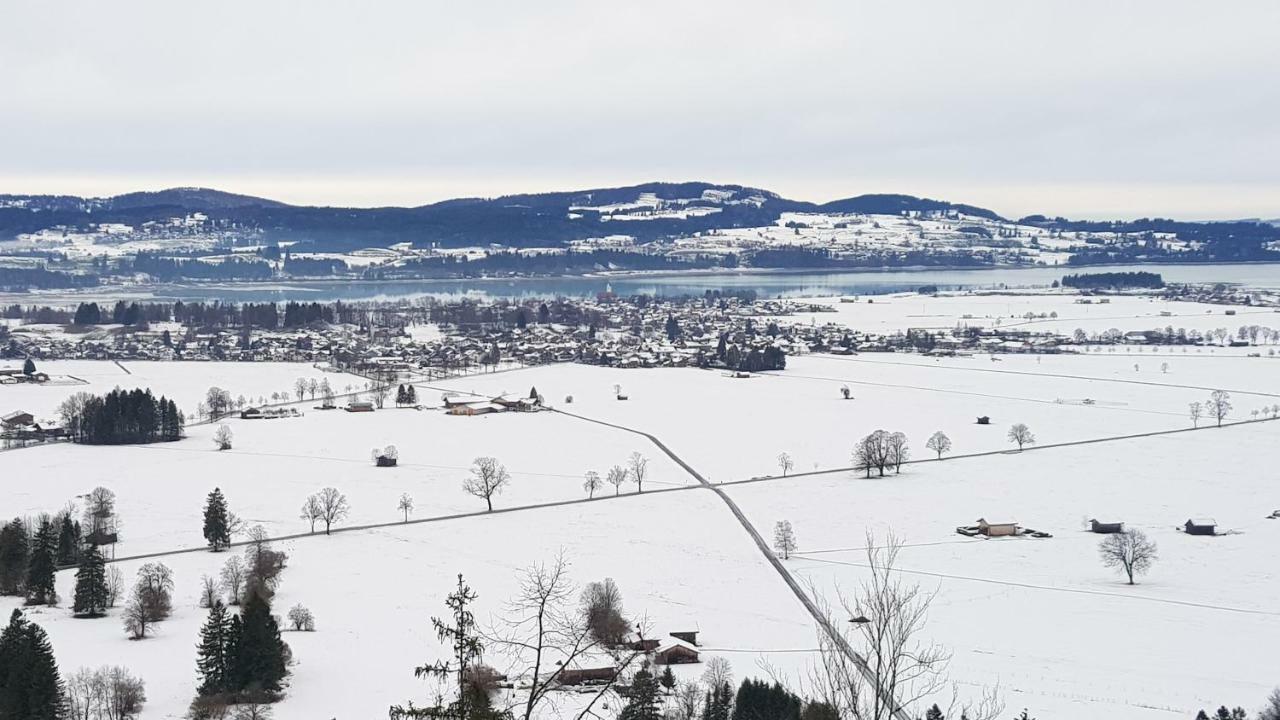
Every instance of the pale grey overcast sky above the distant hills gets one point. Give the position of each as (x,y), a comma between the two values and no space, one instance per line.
(1082,108)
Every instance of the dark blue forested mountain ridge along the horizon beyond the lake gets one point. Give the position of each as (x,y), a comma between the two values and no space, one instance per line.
(646,212)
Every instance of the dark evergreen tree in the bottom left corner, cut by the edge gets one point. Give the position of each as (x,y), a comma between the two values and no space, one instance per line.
(30,685)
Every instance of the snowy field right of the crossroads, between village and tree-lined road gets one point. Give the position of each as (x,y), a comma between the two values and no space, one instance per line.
(733,429)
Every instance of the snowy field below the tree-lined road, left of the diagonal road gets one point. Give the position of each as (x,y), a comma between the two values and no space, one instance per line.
(683,566)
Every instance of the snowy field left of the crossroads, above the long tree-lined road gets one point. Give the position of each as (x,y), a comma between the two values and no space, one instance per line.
(276,464)
